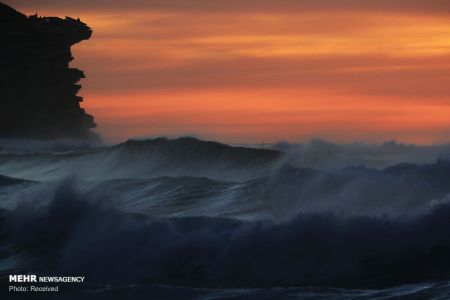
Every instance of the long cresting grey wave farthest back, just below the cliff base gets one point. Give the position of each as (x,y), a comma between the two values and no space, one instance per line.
(146,159)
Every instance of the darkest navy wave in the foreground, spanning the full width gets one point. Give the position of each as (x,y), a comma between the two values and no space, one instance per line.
(78,235)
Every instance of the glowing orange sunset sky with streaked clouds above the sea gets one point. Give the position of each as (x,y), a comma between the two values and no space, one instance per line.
(264,71)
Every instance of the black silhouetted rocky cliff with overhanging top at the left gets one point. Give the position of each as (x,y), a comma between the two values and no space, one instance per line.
(38,90)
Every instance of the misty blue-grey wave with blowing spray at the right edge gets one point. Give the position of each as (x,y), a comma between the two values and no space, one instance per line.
(403,189)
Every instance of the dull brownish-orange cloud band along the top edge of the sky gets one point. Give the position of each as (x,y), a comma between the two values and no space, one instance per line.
(416,6)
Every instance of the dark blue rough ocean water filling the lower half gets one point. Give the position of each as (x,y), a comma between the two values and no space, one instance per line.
(187,219)
